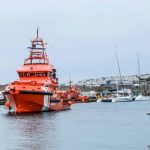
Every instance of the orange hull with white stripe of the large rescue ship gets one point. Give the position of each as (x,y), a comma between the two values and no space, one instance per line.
(27,102)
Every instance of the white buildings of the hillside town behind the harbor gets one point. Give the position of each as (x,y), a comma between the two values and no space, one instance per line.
(109,83)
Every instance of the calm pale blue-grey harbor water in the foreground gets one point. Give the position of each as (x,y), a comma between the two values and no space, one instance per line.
(87,126)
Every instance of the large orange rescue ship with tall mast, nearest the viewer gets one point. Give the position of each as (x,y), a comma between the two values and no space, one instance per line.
(36,88)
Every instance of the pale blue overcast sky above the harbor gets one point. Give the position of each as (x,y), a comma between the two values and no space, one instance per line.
(81,36)
